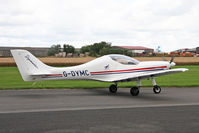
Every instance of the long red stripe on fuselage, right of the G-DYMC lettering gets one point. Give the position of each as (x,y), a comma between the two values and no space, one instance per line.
(130,70)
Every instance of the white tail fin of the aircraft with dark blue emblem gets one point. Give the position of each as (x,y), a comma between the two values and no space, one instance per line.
(28,64)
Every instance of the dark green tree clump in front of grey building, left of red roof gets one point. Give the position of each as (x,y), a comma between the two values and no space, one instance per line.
(95,50)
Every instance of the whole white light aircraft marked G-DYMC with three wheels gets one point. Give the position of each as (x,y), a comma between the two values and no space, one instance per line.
(109,68)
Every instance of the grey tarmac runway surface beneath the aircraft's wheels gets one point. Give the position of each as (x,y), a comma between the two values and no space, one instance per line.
(95,110)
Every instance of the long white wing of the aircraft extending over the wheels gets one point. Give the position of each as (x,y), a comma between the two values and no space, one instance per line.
(133,77)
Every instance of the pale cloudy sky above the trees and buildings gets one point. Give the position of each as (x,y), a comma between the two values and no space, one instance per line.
(170,24)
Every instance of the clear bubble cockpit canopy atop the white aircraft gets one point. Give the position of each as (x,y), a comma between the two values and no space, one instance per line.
(124,59)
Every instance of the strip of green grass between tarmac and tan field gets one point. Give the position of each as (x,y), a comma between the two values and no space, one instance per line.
(11,79)
